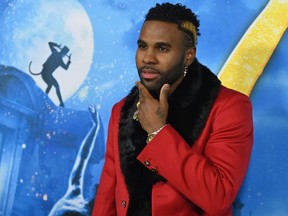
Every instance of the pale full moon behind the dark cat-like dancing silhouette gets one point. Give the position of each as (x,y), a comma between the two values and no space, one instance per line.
(28,26)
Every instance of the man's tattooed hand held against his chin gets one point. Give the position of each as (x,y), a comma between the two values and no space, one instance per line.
(152,114)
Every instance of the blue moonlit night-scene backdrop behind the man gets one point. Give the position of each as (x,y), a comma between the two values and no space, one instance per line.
(51,156)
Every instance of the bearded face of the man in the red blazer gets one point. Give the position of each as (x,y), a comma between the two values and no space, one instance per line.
(161,55)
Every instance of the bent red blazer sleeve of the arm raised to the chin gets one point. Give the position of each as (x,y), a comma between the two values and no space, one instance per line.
(210,179)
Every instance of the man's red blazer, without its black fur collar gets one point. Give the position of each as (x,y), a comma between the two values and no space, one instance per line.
(202,179)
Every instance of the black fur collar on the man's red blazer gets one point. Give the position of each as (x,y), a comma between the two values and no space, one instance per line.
(189,107)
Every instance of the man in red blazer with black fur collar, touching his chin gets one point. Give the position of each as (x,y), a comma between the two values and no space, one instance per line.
(179,143)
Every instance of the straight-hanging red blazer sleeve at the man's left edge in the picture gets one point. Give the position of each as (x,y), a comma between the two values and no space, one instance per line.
(105,196)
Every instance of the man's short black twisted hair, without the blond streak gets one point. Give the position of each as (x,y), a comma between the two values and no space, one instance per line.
(176,13)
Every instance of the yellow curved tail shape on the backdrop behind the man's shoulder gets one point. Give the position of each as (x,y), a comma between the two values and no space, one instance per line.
(249,58)
